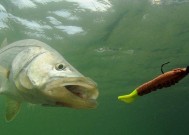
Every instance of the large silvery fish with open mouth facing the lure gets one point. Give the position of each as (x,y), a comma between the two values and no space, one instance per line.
(33,72)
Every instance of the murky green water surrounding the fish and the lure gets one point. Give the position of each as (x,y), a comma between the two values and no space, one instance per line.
(119,44)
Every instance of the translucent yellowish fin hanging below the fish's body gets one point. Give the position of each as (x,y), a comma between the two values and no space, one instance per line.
(12,109)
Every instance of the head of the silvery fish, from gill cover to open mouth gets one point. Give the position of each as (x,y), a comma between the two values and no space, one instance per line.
(52,81)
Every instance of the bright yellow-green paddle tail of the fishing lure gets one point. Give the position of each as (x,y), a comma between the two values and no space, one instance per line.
(129,98)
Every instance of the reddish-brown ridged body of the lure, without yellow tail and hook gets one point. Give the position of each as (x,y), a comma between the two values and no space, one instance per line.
(164,80)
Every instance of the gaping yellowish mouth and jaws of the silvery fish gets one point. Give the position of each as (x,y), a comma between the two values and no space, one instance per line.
(74,92)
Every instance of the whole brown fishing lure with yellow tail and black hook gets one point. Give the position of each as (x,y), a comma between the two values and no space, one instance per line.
(166,79)
